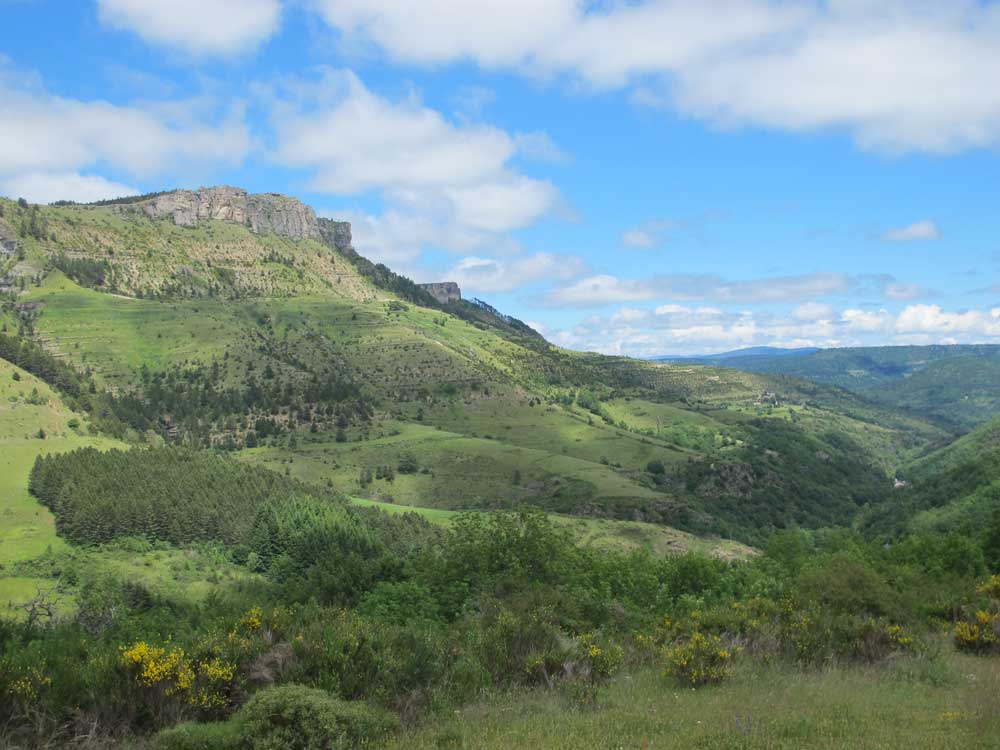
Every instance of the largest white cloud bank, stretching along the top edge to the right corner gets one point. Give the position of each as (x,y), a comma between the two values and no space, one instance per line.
(898,75)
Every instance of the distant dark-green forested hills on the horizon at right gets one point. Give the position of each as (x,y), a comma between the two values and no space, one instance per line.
(956,386)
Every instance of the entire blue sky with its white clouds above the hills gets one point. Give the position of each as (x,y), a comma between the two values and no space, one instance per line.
(667,176)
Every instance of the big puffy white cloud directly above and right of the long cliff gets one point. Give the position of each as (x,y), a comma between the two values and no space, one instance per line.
(451,184)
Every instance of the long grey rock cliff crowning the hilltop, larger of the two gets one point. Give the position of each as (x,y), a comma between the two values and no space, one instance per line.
(260,212)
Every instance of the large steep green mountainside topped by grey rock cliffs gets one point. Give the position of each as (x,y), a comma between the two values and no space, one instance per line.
(243,322)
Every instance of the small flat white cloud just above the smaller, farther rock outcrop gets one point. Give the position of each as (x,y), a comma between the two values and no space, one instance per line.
(491,275)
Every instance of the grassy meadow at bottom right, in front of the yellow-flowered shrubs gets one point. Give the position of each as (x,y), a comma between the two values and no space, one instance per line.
(954,703)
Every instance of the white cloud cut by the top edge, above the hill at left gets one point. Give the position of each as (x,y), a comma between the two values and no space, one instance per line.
(197,27)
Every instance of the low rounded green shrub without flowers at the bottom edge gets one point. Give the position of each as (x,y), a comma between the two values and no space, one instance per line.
(294,717)
